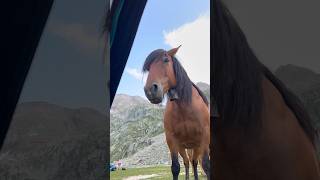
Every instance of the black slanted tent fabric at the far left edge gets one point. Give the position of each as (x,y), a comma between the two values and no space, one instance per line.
(23,24)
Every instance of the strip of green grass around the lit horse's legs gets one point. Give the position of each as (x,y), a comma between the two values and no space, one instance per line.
(156,172)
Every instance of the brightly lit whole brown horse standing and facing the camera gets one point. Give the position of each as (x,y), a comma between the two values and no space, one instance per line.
(186,117)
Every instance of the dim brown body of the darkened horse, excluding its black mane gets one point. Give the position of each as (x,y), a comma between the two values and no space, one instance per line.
(279,132)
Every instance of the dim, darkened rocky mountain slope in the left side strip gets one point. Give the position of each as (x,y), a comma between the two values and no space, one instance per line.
(46,141)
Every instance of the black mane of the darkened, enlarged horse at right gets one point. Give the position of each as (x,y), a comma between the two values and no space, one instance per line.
(237,77)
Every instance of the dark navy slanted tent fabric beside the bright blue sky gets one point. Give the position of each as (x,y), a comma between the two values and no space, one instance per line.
(126,28)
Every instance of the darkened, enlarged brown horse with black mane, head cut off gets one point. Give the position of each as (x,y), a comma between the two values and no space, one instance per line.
(263,131)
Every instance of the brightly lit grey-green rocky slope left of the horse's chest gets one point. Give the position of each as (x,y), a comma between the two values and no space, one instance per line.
(133,122)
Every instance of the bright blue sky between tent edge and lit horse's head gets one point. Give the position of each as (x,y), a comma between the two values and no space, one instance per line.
(158,17)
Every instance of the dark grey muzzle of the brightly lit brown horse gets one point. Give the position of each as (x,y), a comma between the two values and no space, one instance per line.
(154,93)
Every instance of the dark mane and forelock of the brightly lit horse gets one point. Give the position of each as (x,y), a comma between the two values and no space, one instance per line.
(184,84)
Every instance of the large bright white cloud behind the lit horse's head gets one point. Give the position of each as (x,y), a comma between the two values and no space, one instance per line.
(194,53)
